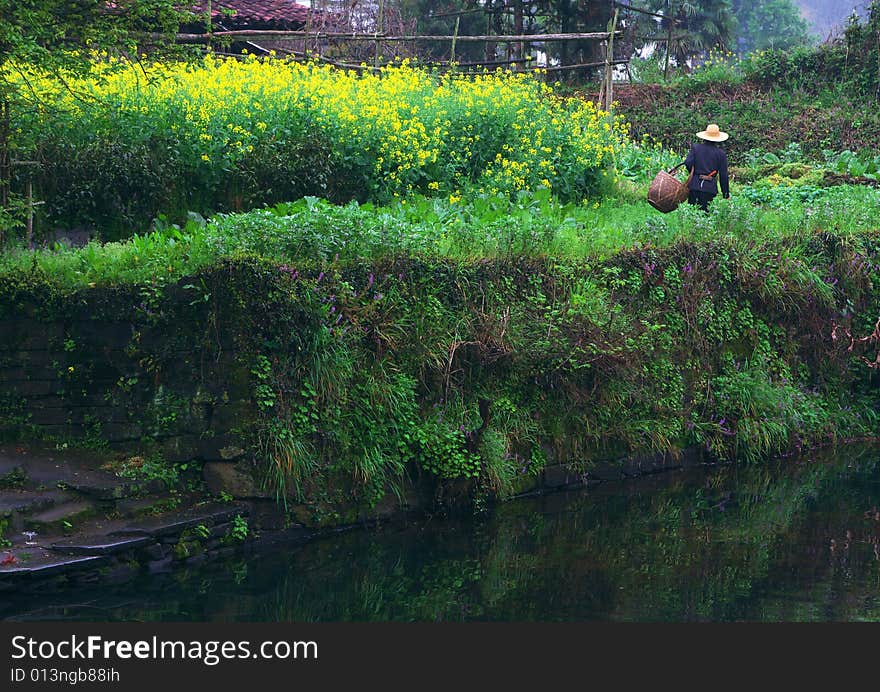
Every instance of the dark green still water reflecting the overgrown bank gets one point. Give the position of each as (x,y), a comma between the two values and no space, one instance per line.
(790,541)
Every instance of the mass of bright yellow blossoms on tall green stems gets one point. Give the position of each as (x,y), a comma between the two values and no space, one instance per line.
(401,122)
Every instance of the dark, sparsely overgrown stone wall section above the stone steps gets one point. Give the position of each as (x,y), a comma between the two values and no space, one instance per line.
(122,382)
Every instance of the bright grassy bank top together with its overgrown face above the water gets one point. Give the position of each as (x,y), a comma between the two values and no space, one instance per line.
(467,344)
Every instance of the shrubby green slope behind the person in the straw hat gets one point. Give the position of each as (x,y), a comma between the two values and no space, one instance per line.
(819,97)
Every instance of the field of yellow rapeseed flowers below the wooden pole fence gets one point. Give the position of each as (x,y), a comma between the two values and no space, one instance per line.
(378,134)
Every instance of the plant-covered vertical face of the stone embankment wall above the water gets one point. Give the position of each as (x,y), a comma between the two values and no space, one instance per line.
(222,367)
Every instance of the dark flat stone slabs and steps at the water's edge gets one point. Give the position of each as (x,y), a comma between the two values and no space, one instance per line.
(68,522)
